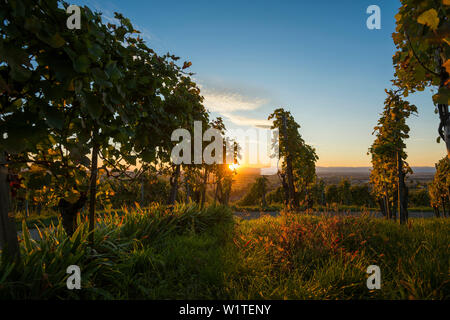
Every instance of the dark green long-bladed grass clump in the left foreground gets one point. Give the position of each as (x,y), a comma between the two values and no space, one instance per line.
(125,247)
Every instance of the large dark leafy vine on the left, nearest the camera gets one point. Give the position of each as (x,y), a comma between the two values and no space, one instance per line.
(97,91)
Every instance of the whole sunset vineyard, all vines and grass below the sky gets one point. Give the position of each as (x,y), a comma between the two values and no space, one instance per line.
(94,173)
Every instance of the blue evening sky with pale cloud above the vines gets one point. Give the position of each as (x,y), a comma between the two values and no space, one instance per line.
(316,59)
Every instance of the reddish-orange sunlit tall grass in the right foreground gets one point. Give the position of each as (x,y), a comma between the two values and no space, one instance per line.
(320,257)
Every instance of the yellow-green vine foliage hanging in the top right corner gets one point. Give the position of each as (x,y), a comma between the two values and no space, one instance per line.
(423,51)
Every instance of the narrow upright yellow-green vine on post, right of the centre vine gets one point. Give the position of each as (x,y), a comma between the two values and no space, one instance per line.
(388,156)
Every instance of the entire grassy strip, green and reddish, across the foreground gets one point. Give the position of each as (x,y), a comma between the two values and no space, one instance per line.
(191,254)
